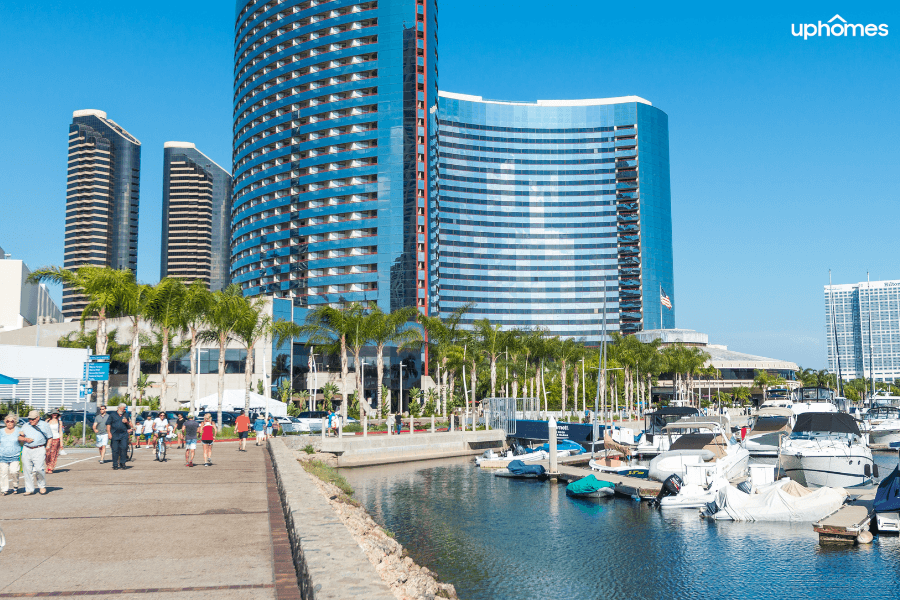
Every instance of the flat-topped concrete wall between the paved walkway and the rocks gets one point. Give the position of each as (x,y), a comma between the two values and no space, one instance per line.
(330,563)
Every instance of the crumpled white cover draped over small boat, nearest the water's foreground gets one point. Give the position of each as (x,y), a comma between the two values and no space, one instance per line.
(781,501)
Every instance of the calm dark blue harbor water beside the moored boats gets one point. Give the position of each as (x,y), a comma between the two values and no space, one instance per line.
(496,538)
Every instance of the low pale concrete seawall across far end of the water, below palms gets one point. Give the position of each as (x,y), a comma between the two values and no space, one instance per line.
(356,451)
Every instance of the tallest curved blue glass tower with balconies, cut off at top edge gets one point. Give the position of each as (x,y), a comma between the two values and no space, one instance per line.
(331,162)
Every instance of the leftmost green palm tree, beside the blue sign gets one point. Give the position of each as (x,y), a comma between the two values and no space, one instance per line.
(103,288)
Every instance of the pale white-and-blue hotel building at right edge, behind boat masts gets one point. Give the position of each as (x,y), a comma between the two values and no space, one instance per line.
(855,306)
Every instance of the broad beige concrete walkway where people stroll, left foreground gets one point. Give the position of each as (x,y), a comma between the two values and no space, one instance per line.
(154,530)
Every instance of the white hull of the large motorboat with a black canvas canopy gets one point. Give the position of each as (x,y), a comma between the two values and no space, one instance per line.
(829,466)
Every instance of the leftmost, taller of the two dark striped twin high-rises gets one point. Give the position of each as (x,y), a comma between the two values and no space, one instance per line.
(102,197)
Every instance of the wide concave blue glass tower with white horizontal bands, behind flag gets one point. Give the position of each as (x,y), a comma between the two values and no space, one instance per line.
(544,209)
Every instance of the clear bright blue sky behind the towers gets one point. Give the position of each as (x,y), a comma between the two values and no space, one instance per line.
(784,151)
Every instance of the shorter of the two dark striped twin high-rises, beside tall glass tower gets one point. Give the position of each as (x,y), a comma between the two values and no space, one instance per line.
(196,218)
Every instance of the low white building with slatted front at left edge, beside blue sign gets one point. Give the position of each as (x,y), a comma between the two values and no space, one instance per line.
(48,377)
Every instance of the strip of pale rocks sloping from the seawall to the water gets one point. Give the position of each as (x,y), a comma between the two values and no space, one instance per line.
(406,579)
